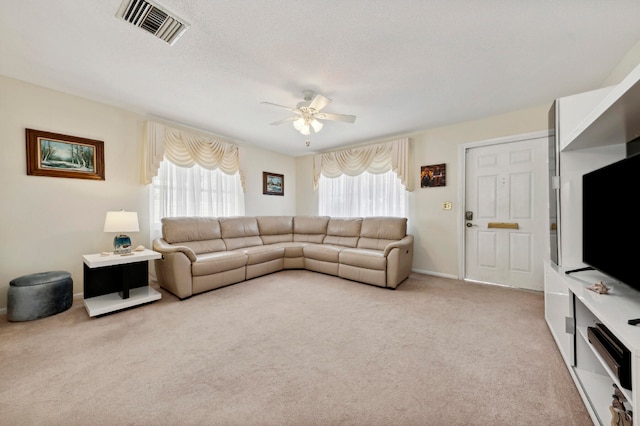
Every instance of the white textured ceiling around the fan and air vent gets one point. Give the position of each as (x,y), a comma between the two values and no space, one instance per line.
(400,66)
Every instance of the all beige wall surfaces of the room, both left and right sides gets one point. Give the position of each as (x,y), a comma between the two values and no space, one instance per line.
(49,223)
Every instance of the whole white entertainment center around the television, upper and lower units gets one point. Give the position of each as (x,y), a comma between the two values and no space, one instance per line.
(591,131)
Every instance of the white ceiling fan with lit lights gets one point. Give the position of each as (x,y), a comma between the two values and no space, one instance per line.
(308,112)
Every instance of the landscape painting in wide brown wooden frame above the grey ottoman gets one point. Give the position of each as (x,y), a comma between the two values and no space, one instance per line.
(57,155)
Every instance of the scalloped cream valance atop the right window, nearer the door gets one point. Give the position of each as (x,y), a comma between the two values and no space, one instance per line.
(376,159)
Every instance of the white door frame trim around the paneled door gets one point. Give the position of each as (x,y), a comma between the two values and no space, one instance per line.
(462,176)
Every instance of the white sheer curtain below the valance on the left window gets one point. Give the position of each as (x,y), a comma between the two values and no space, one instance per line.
(194,191)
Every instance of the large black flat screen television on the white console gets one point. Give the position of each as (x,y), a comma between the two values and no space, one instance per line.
(610,228)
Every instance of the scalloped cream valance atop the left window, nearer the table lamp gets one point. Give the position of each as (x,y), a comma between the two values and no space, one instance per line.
(186,149)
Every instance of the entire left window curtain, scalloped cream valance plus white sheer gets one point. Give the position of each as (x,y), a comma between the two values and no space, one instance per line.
(190,175)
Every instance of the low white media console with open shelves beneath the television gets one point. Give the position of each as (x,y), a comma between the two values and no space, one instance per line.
(570,307)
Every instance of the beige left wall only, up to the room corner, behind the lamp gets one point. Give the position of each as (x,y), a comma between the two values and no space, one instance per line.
(49,223)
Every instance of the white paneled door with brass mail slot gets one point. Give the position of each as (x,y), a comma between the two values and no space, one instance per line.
(506,193)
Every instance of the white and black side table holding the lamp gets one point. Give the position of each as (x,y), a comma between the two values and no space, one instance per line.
(113,282)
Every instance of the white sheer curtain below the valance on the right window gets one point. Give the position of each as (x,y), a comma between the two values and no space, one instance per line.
(361,196)
